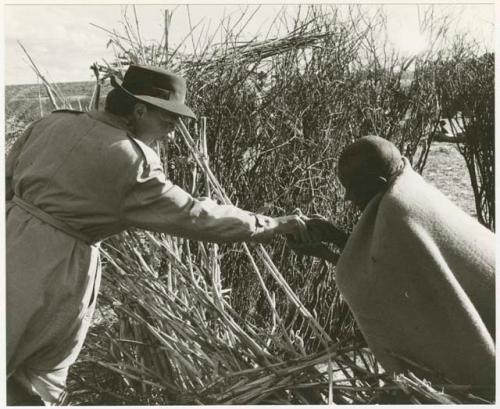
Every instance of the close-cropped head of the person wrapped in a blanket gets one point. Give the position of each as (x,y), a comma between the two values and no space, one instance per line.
(365,167)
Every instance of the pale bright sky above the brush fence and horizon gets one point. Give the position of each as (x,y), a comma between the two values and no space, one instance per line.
(63,42)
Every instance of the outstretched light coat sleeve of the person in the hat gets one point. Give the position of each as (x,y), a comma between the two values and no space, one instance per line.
(154,203)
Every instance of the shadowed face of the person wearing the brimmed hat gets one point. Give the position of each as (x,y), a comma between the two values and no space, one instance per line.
(152,124)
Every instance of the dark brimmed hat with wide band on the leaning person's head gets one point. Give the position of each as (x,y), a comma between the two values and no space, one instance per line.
(157,87)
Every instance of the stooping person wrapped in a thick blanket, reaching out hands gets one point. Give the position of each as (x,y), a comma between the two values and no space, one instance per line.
(417,272)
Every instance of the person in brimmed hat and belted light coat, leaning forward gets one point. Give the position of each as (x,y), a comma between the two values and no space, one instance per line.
(74,179)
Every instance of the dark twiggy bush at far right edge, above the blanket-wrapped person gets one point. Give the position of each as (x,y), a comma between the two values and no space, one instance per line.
(466,88)
